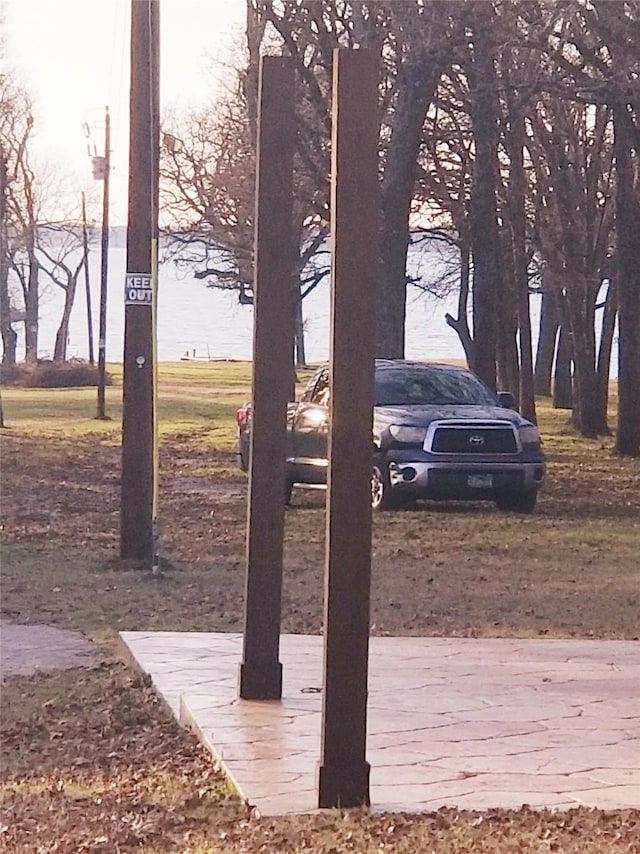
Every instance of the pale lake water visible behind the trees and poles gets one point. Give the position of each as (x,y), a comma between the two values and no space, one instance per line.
(194,320)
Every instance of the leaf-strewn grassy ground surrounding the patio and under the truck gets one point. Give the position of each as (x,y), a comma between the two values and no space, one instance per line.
(91,762)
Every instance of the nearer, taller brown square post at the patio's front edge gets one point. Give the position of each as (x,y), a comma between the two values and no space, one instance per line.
(344,772)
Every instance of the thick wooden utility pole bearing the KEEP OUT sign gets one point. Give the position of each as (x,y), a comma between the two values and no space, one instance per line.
(139,470)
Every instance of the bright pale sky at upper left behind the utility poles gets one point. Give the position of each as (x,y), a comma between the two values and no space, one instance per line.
(72,57)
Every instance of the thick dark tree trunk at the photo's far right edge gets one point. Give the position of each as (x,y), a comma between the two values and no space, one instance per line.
(628,283)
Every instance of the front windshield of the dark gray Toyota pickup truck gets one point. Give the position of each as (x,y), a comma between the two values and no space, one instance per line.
(430,386)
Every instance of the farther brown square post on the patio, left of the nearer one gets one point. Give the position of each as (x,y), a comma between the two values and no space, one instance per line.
(261,671)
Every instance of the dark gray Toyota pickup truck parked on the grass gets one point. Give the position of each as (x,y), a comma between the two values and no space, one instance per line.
(438,433)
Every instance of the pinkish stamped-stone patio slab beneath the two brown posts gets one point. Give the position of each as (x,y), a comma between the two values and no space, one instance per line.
(469,723)
